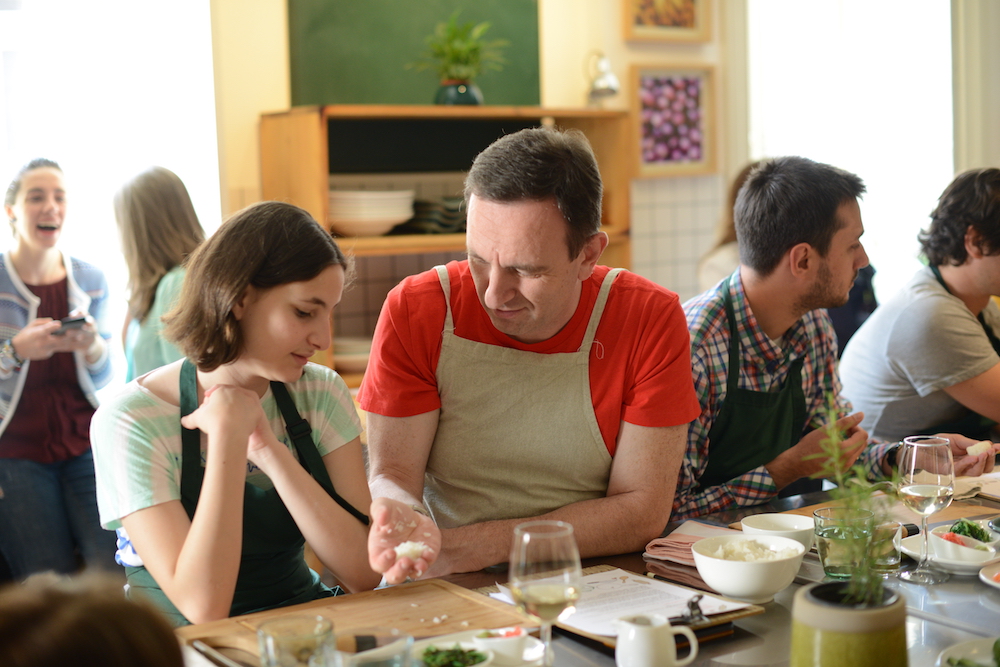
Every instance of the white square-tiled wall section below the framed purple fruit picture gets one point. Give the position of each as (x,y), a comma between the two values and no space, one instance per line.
(674,222)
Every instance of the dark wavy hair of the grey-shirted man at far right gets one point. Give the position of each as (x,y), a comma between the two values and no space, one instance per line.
(971,200)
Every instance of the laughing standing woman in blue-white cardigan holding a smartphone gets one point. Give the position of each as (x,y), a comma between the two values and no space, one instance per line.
(49,374)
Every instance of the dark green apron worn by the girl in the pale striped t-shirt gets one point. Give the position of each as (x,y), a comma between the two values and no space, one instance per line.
(273,572)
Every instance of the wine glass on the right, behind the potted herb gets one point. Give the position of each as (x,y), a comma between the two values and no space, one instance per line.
(926,485)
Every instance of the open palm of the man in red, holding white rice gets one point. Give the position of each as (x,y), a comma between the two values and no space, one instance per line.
(394,523)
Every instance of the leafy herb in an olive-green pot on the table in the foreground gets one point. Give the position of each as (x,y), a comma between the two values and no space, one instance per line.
(857,622)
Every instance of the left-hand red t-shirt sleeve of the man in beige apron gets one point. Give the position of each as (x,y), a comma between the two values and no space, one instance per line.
(400,380)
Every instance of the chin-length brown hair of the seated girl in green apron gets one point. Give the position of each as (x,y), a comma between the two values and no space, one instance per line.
(262,246)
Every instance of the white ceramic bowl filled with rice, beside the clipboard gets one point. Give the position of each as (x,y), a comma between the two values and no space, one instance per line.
(750,581)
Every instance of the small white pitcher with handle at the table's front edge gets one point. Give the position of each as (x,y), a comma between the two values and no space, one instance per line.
(647,640)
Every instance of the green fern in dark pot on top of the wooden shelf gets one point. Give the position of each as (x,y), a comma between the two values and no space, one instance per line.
(459,54)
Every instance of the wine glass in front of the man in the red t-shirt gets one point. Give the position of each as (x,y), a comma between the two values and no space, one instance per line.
(545,576)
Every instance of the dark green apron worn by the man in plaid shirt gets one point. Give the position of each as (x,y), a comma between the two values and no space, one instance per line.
(752,427)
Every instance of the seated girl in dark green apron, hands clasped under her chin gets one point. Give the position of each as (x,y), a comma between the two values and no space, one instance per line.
(215,469)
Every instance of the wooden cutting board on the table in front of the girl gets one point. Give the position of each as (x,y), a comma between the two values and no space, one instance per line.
(422,608)
